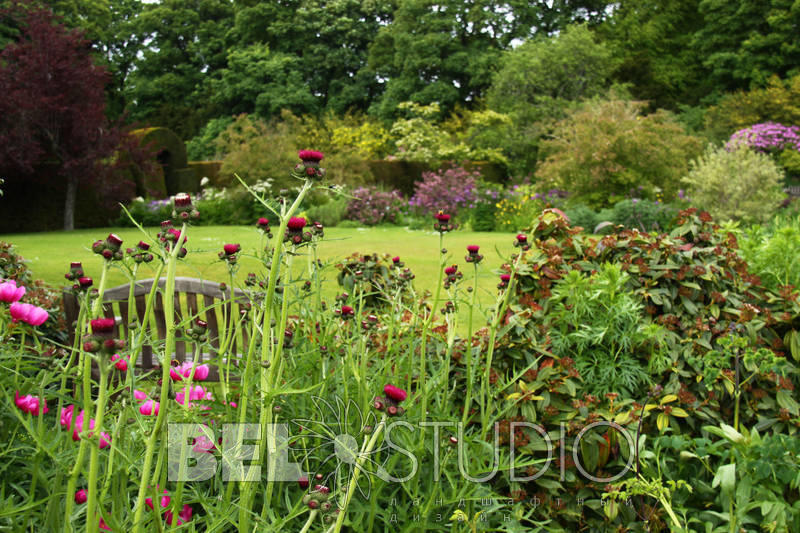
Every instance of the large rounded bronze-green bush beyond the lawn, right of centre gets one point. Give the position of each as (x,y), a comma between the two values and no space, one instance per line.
(607,147)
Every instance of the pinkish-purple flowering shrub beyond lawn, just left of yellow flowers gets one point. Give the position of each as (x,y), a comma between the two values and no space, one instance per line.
(447,189)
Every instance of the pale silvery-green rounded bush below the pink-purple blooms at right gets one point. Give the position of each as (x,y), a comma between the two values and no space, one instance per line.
(735,183)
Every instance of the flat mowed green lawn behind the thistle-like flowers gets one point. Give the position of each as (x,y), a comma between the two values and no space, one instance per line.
(49,254)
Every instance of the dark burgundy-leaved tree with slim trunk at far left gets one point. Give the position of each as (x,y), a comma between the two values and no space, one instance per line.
(52,113)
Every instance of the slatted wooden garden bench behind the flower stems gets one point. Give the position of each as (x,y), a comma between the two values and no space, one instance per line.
(193,298)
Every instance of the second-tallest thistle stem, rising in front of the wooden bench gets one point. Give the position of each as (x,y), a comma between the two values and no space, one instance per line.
(169,347)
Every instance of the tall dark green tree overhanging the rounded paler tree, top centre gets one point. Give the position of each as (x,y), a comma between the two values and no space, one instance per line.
(446,51)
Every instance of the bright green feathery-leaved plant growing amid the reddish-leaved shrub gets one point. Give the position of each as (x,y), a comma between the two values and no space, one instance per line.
(598,322)
